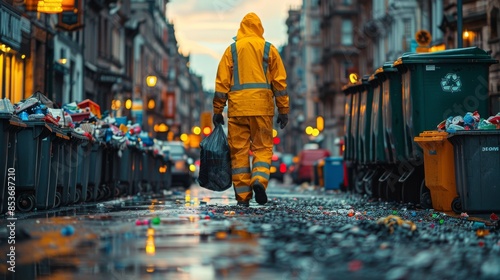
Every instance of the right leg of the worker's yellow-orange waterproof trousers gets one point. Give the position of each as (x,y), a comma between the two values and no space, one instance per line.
(261,133)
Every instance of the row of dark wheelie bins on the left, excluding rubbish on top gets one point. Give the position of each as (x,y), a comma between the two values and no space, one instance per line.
(45,166)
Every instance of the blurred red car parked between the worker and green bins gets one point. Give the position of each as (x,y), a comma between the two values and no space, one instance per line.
(303,171)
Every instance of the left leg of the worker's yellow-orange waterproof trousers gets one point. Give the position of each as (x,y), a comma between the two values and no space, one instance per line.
(239,143)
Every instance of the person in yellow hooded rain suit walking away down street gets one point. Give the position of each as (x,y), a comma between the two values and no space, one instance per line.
(251,78)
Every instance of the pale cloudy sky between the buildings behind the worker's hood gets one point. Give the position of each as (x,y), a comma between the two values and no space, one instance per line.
(205,28)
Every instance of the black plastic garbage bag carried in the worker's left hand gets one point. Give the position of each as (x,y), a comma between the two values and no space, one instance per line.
(215,161)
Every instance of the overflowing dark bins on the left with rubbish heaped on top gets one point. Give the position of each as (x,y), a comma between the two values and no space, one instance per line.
(74,134)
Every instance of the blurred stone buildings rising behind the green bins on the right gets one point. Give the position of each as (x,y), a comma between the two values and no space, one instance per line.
(357,37)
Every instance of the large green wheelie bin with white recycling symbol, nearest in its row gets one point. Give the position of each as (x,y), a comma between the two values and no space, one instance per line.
(436,86)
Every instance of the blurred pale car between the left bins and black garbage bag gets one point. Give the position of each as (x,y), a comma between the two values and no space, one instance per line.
(181,173)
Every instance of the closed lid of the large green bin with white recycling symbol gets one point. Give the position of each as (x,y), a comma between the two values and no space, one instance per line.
(462,55)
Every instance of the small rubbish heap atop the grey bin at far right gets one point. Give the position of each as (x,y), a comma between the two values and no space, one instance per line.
(470,121)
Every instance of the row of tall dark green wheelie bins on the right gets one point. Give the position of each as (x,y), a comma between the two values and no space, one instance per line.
(384,111)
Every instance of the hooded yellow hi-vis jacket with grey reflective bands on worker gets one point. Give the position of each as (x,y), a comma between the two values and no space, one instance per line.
(251,75)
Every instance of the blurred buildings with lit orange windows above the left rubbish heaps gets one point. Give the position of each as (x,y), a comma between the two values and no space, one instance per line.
(105,53)
